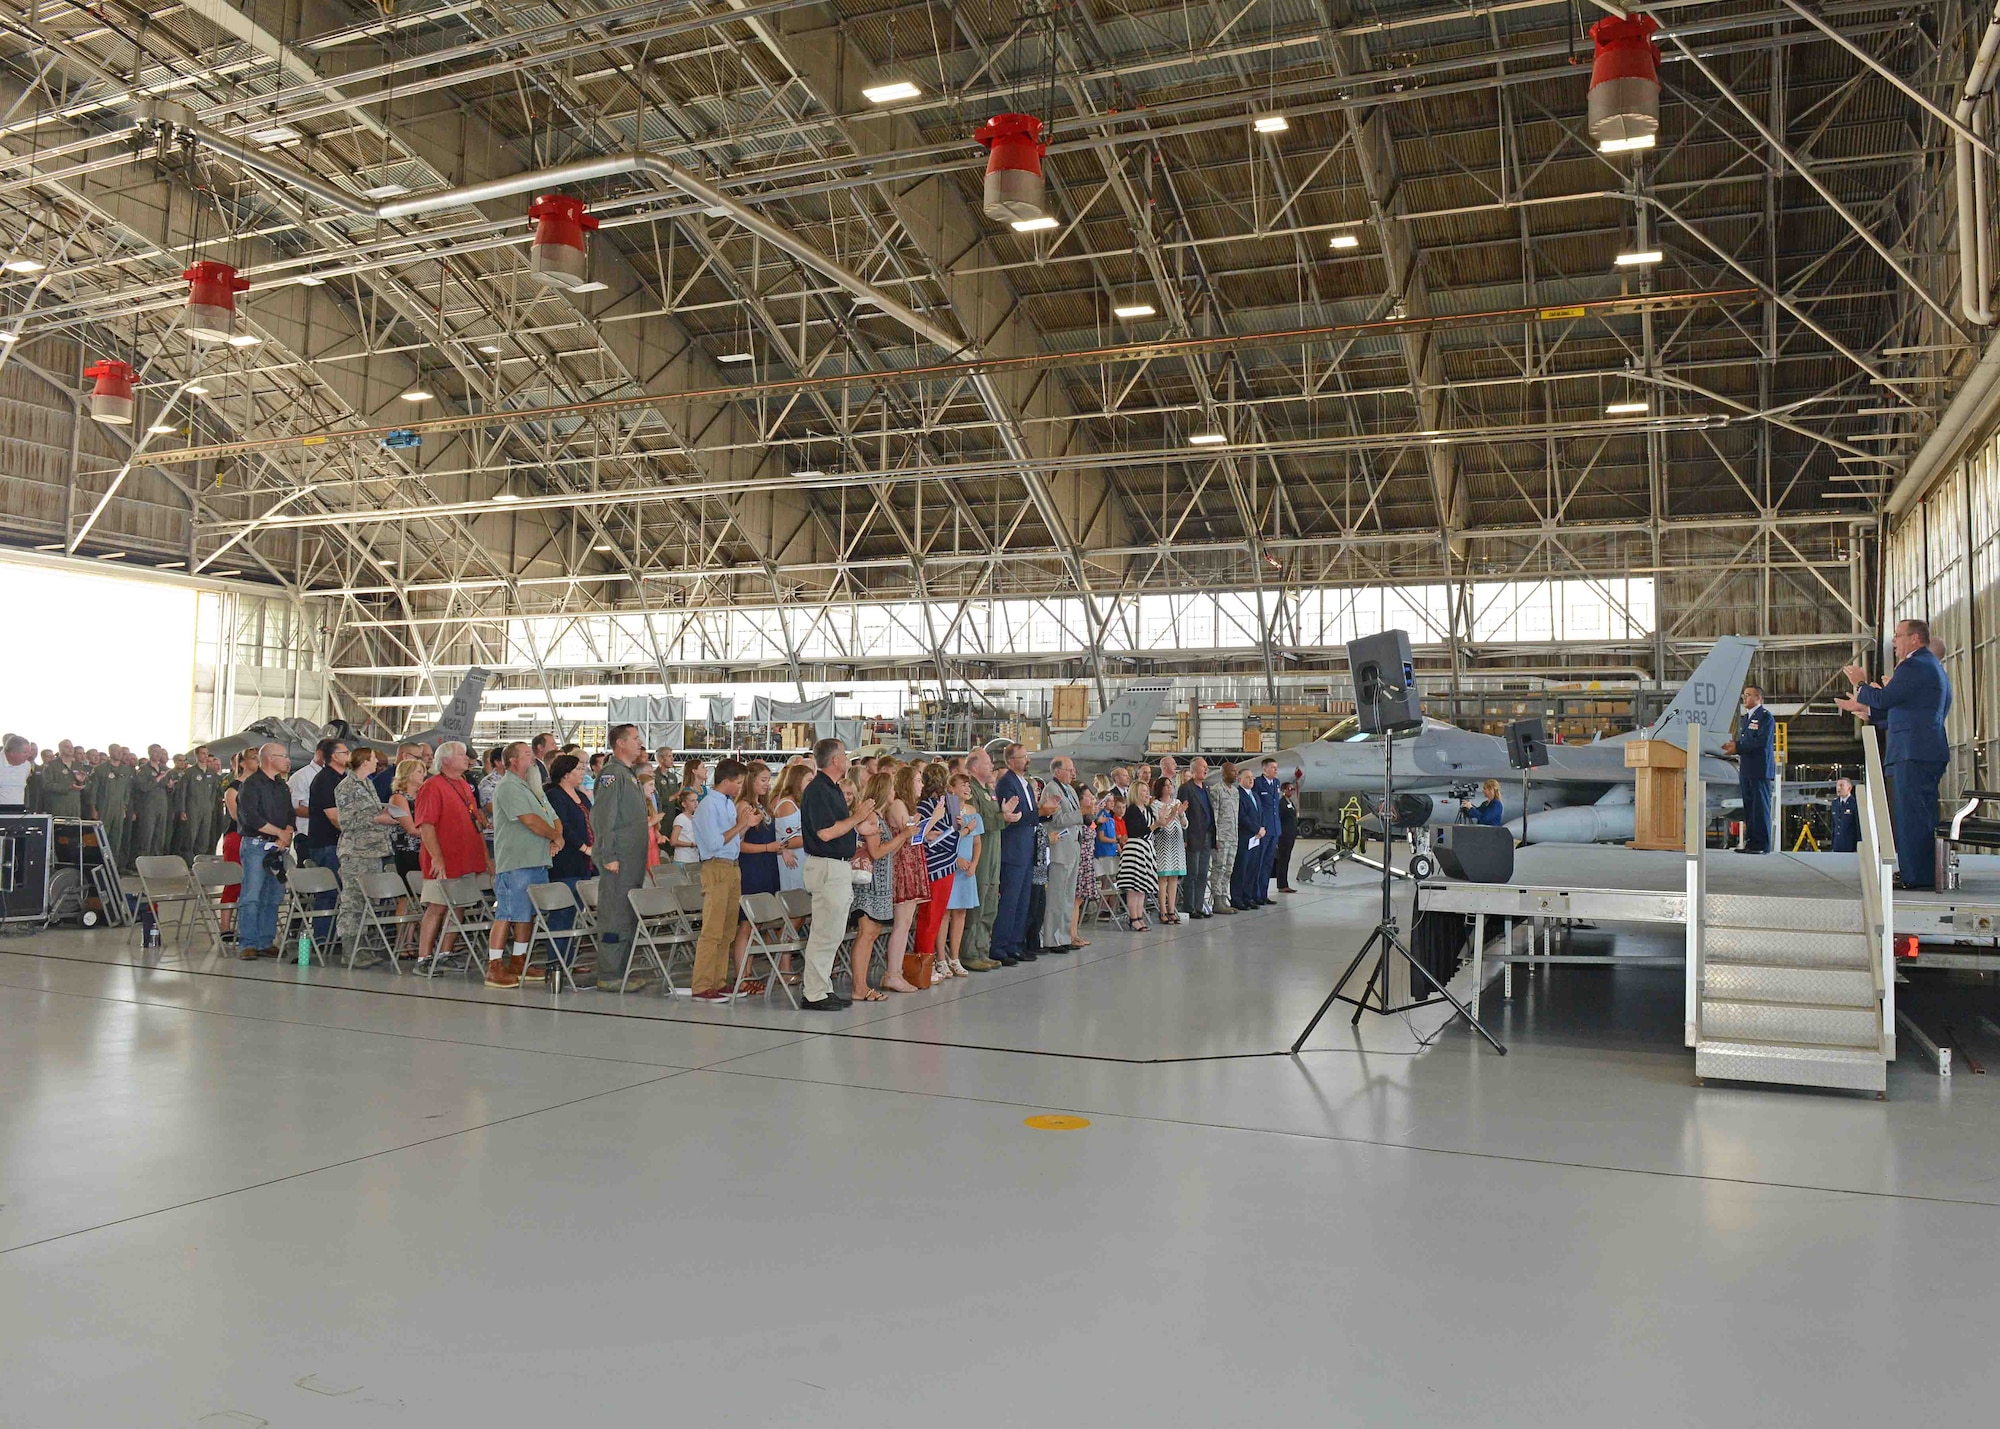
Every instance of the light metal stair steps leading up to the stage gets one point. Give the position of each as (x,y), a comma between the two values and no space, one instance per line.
(1789,994)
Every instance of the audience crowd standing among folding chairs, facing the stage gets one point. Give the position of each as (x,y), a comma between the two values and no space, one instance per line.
(947,868)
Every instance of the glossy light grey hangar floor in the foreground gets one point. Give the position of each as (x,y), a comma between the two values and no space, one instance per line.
(237,1196)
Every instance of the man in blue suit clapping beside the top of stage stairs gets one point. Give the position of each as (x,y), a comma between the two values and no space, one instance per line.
(1911,707)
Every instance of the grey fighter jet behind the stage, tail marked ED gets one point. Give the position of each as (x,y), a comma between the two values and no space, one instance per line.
(1583,796)
